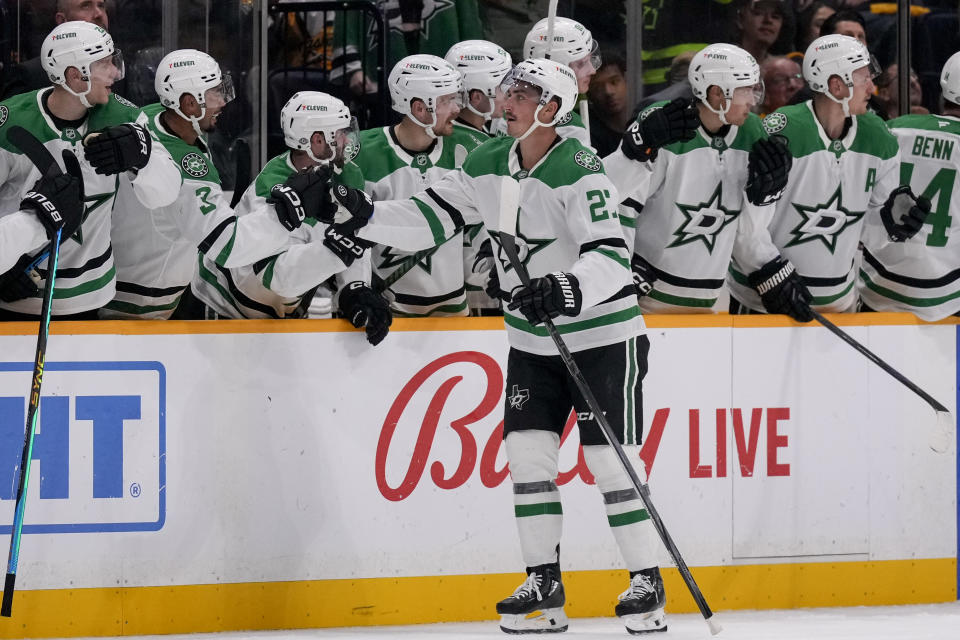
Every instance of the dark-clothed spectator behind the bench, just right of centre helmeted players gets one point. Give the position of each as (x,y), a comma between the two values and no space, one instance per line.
(609,109)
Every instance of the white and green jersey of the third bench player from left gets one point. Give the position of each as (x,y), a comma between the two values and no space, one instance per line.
(275,286)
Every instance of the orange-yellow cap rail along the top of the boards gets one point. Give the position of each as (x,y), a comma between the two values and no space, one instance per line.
(654,321)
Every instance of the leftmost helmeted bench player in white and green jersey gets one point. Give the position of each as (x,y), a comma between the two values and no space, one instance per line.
(82,63)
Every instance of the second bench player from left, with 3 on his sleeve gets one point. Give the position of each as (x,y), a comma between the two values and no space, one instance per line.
(156,250)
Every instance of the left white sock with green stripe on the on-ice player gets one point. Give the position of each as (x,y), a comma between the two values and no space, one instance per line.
(532,455)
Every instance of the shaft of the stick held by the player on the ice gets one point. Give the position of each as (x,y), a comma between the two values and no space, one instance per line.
(508,242)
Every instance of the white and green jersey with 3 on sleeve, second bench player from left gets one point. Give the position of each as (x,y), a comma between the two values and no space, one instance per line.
(156,250)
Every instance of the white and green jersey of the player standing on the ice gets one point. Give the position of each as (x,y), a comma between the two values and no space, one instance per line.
(568,221)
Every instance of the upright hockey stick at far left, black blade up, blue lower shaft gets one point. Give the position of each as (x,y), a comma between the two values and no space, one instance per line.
(41,157)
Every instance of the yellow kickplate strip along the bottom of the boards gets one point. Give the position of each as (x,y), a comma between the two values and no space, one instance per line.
(394,601)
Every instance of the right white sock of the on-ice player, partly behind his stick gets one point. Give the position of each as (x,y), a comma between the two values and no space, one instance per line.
(629,521)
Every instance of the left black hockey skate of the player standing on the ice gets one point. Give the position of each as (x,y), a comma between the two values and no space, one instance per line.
(537,604)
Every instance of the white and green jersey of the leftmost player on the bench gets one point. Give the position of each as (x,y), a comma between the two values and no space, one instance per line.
(86,274)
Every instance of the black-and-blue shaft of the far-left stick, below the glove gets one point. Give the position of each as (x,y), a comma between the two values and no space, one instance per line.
(13,558)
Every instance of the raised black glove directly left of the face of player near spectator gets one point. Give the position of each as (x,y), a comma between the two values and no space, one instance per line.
(676,121)
